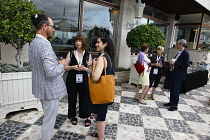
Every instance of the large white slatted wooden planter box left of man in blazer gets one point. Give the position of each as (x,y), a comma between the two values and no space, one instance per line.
(16,93)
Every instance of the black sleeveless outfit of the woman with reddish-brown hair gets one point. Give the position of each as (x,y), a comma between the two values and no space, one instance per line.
(73,88)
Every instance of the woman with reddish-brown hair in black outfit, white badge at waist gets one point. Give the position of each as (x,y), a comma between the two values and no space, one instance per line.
(78,63)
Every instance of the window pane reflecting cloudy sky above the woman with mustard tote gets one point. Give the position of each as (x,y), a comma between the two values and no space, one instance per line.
(97,20)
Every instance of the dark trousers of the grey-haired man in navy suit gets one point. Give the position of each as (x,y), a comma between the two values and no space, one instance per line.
(175,85)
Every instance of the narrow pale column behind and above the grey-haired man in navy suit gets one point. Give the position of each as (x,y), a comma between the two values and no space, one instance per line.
(171,34)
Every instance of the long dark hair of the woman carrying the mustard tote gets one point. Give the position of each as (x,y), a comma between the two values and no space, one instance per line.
(109,49)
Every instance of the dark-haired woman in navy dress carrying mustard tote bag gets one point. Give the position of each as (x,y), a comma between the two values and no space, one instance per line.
(105,47)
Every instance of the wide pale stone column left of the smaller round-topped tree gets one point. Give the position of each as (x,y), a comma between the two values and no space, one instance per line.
(126,14)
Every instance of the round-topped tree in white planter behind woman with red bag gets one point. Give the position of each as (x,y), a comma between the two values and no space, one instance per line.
(143,34)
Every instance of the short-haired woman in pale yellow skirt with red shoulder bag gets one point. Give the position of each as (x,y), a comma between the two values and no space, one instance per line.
(144,76)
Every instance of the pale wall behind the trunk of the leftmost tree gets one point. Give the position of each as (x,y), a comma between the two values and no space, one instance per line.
(8,54)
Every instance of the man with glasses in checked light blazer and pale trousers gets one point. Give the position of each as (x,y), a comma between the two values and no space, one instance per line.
(47,81)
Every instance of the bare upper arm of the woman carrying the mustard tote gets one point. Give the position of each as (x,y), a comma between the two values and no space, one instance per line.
(98,66)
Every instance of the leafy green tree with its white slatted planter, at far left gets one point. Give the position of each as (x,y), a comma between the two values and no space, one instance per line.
(16,31)
